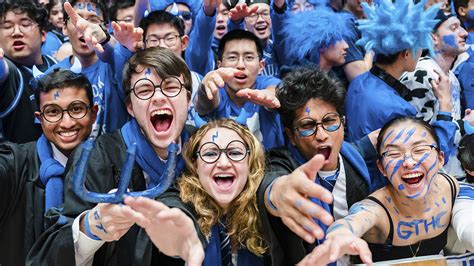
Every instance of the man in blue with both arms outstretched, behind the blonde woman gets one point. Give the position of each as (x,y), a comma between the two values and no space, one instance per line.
(236,86)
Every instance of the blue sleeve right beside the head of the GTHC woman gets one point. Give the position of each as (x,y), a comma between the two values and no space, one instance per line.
(445,130)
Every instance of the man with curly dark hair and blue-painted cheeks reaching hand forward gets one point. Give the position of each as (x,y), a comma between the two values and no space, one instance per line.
(317,176)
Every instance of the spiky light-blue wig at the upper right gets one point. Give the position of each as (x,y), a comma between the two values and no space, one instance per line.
(394,27)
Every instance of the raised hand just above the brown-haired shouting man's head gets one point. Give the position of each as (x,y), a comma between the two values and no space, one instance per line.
(128,35)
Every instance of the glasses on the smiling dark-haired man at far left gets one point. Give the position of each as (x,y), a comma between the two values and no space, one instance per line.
(54,113)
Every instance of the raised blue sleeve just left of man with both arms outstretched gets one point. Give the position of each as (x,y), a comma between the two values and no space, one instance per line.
(199,55)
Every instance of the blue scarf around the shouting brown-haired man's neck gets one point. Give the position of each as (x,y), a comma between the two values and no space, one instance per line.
(146,156)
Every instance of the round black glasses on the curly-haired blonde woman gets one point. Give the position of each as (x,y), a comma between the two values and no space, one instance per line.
(210,152)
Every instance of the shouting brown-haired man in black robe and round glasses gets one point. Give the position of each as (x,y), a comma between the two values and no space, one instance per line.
(158,91)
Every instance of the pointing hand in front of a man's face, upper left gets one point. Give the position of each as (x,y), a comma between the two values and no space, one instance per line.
(93,33)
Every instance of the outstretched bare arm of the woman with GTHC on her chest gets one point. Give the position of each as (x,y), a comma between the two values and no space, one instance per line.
(344,236)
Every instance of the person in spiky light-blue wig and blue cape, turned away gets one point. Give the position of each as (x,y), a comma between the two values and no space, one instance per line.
(377,96)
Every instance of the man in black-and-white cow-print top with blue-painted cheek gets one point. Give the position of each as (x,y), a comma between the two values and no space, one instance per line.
(449,41)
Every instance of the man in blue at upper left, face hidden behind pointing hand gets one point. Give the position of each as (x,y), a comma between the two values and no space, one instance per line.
(85,26)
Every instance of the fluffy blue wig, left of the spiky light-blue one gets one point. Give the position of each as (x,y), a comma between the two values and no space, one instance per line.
(309,32)
